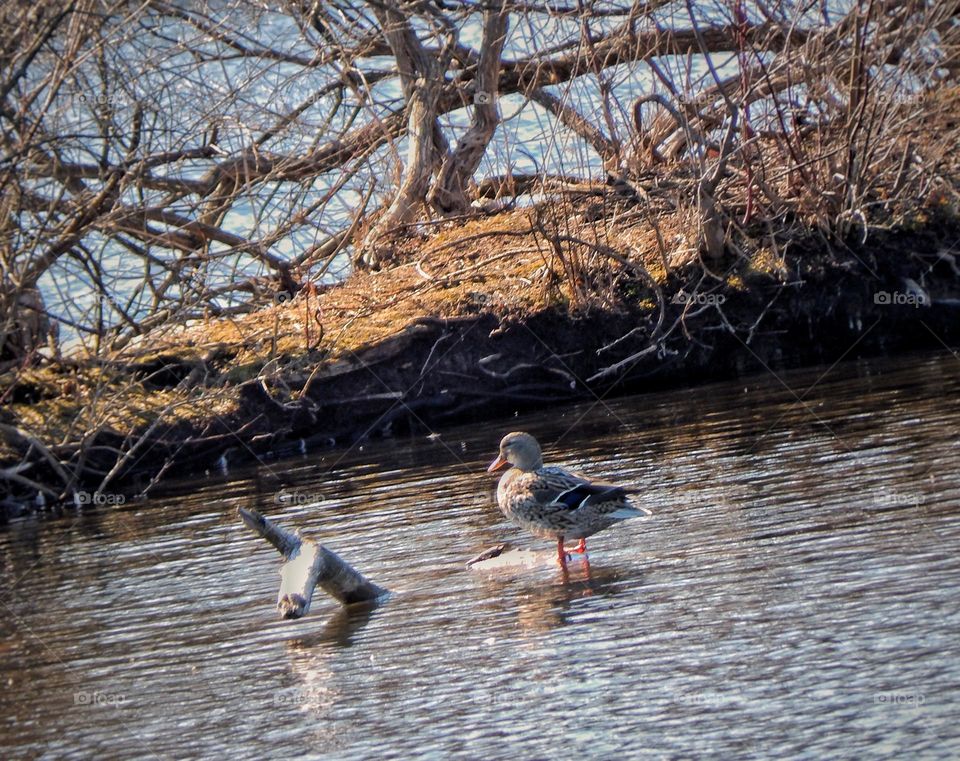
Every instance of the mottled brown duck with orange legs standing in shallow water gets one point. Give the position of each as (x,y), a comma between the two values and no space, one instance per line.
(553,503)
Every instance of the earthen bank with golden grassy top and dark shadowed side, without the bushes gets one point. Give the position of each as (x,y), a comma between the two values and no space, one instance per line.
(491,316)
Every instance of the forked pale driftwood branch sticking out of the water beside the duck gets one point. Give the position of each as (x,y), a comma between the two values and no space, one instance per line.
(308,565)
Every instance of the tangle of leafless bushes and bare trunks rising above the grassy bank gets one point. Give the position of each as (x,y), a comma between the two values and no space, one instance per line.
(165,162)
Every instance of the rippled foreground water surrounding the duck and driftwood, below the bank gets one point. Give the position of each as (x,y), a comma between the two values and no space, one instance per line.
(795,594)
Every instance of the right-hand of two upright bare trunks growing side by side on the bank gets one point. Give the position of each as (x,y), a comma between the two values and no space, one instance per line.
(449,193)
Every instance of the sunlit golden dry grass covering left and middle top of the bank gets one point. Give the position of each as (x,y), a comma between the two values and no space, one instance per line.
(494,264)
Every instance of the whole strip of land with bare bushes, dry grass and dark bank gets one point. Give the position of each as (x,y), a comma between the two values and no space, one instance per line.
(420,228)
